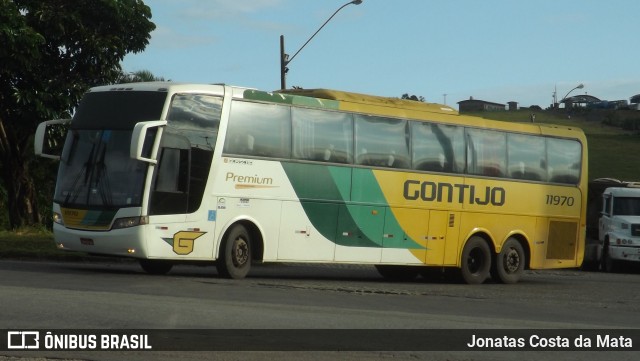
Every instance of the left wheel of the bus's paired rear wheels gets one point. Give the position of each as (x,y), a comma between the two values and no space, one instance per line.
(476,261)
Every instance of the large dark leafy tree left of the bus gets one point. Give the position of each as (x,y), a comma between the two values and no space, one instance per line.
(51,53)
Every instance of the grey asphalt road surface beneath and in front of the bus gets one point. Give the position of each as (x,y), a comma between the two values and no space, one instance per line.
(47,295)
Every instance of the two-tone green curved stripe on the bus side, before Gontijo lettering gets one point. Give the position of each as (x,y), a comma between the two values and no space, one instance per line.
(325,195)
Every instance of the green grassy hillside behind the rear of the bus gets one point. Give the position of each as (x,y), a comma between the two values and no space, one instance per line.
(612,136)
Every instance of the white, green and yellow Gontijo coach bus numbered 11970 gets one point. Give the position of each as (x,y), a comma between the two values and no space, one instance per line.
(169,173)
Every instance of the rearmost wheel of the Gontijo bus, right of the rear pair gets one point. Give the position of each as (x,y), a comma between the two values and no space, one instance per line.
(509,263)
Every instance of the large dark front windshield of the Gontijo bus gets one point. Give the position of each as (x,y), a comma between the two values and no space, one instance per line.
(95,168)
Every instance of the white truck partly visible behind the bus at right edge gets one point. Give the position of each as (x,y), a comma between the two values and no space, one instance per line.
(619,227)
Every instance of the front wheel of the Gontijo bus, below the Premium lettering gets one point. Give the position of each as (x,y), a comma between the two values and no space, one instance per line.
(235,253)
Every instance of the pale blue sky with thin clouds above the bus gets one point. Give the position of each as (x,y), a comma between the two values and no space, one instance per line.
(443,50)
